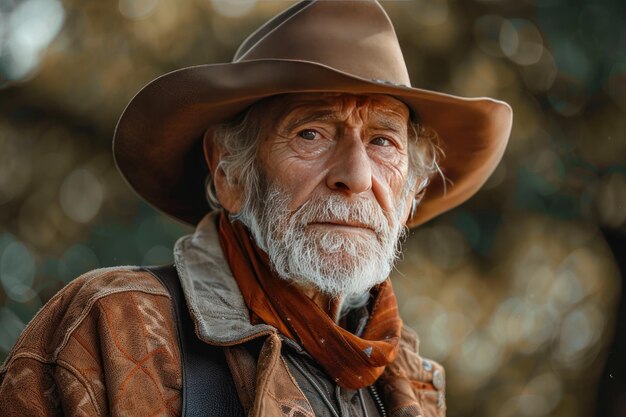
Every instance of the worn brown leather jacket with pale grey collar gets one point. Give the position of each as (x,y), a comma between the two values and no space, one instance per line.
(106,346)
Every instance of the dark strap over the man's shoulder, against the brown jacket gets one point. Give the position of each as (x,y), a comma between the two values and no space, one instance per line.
(208,386)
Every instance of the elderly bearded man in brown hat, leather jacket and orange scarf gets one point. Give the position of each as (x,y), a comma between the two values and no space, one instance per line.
(301,164)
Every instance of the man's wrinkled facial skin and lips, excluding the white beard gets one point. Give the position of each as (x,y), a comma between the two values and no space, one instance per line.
(353,146)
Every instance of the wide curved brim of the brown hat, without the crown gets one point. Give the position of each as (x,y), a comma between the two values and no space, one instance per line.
(157,141)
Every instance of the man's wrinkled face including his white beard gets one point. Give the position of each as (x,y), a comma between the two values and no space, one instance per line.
(334,172)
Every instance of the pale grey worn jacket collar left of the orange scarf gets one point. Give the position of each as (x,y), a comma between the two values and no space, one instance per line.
(215,303)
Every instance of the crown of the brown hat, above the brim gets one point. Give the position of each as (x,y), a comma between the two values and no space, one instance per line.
(355,37)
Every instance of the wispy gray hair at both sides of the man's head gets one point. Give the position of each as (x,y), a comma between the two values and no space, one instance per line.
(238,141)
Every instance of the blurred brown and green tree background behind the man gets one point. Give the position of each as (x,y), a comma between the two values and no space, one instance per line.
(516,292)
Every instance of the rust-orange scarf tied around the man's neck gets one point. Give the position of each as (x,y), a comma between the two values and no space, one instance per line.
(353,362)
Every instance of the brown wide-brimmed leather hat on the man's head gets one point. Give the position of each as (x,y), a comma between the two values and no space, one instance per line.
(313,46)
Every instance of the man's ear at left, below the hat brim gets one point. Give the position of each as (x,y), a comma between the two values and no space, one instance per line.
(229,196)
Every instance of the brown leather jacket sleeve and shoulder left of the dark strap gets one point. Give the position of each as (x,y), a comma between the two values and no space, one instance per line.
(105,345)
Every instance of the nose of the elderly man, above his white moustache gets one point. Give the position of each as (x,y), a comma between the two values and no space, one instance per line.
(351,172)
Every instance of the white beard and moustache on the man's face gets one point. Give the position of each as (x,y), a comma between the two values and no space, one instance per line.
(340,264)
